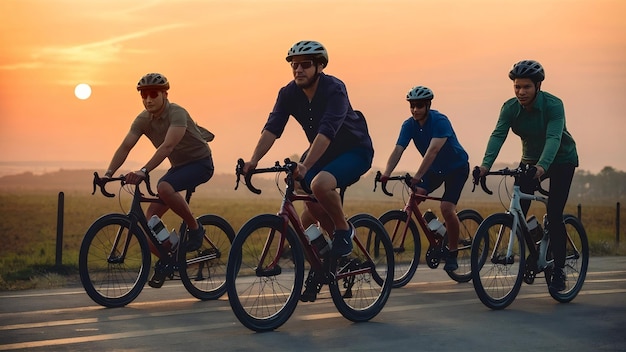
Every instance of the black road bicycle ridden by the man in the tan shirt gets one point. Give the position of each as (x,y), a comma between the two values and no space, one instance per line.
(115,259)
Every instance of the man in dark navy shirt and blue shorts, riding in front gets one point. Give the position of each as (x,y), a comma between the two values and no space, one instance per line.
(340,148)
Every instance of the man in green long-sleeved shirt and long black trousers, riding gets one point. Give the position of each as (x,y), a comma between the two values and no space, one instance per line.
(538,118)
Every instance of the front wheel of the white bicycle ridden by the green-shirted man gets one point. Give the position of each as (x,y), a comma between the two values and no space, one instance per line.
(497,278)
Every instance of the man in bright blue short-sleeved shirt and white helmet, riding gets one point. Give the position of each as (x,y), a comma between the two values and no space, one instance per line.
(444,160)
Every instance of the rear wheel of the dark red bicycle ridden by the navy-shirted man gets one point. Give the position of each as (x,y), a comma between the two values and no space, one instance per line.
(364,279)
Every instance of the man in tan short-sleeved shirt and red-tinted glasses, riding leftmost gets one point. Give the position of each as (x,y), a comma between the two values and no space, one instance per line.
(176,137)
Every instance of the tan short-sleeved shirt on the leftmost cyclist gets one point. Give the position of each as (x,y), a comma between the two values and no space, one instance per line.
(191,147)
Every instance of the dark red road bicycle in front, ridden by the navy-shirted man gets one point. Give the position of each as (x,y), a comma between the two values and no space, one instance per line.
(265,270)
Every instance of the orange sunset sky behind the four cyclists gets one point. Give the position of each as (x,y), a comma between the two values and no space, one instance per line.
(225,62)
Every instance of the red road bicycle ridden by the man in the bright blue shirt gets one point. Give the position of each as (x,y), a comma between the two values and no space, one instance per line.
(404,234)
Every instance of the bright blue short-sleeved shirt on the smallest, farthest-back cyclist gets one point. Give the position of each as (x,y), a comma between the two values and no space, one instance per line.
(450,157)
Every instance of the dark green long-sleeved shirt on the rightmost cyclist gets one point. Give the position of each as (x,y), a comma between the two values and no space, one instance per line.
(545,139)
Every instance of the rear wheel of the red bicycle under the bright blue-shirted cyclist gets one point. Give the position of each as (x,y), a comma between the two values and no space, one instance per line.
(469,221)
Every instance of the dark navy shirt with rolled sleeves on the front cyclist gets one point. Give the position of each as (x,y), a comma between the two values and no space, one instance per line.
(328,113)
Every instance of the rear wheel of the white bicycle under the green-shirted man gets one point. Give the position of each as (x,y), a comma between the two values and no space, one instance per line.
(576,260)
